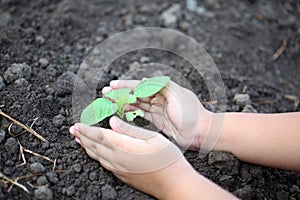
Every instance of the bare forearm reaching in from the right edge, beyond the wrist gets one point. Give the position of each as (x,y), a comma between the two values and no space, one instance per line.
(267,139)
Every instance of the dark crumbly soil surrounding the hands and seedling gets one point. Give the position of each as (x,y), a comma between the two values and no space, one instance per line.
(53,37)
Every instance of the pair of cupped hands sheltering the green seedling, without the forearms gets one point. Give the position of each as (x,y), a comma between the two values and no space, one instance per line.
(145,159)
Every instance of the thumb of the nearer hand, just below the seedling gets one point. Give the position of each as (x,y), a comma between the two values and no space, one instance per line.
(122,127)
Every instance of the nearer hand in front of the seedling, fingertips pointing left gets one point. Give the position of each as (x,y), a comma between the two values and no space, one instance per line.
(141,158)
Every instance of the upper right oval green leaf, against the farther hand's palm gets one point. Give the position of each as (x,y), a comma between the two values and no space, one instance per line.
(150,86)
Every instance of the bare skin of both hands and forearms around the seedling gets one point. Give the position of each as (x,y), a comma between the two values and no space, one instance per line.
(266,139)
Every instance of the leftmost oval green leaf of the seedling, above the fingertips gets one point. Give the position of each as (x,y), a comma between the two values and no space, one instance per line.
(97,111)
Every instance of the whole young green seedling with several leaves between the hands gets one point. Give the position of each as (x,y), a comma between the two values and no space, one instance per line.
(116,101)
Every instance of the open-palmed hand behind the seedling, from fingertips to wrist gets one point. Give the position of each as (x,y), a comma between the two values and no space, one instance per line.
(174,110)
